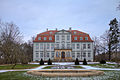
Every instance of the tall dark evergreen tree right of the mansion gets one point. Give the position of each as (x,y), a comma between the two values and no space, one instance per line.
(113,37)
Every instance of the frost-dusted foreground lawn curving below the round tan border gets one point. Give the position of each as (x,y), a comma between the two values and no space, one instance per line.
(22,75)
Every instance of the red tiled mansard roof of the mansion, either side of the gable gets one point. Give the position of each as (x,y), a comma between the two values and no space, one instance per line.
(51,33)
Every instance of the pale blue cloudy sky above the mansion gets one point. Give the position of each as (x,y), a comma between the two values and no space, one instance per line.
(34,16)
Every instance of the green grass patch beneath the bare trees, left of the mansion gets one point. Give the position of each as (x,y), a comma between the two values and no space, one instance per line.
(18,66)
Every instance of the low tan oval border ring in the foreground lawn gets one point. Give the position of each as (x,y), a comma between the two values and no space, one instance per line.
(65,73)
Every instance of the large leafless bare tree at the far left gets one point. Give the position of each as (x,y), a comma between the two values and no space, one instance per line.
(10,38)
